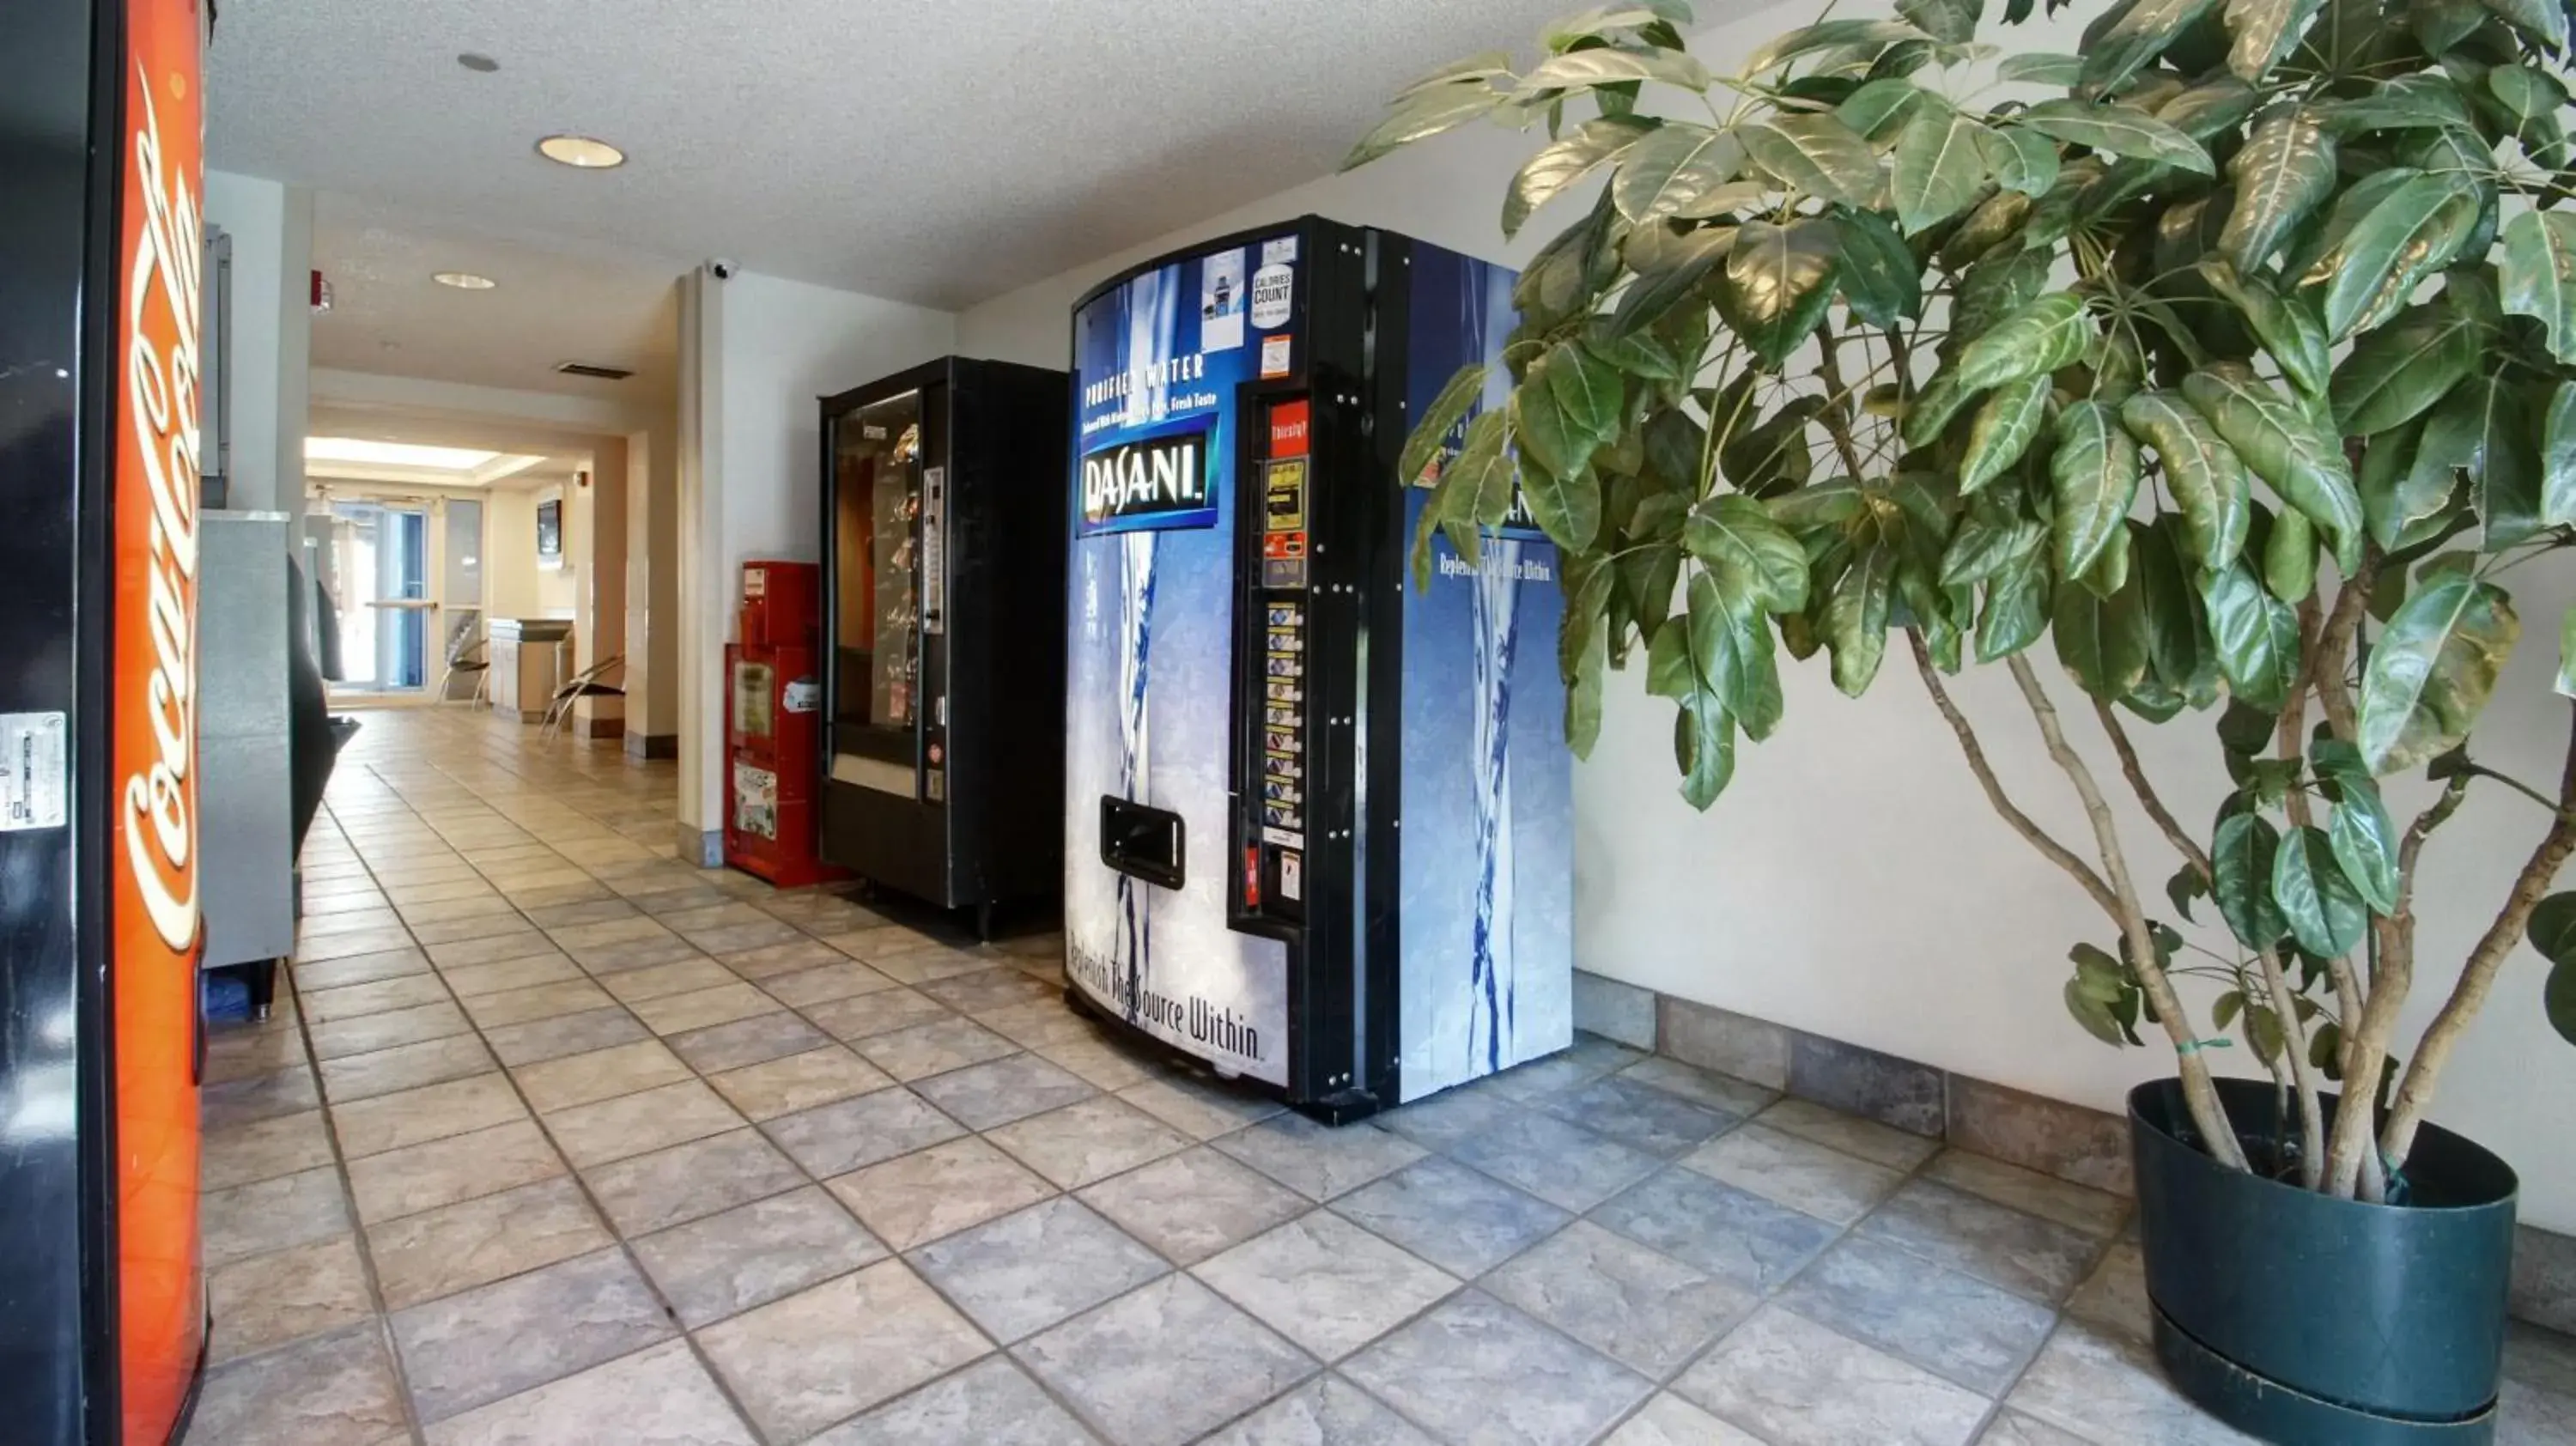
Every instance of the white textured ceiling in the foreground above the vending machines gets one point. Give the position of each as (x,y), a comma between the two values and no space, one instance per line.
(918,151)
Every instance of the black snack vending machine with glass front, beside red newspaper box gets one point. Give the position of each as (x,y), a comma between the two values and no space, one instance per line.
(944,633)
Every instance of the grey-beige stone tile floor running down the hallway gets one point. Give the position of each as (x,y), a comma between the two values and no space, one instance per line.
(565,1143)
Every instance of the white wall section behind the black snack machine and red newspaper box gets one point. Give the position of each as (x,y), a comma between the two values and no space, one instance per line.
(756,352)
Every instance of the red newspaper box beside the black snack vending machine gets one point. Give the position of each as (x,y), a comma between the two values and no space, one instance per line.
(772,718)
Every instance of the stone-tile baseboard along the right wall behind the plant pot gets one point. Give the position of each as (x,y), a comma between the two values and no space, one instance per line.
(2036,1133)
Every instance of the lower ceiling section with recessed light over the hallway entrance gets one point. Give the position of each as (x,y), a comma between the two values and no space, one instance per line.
(553,303)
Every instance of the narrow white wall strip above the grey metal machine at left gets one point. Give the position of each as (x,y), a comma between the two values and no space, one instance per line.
(272,334)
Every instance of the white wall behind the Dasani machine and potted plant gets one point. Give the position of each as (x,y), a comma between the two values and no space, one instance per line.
(1853,880)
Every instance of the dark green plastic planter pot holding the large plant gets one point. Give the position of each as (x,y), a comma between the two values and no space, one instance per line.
(2315,1321)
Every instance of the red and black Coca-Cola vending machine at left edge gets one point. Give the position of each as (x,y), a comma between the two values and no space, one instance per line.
(102,256)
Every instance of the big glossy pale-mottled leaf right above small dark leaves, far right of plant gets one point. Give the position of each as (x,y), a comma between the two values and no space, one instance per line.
(2433,669)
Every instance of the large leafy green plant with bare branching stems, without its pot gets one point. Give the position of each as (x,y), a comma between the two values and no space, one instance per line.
(1889,336)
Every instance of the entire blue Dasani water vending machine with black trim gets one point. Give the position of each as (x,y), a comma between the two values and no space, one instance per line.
(1318,821)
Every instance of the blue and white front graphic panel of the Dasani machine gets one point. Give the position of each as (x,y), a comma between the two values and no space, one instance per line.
(1150,659)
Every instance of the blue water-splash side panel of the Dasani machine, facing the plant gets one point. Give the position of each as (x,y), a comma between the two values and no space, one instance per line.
(1488,927)
